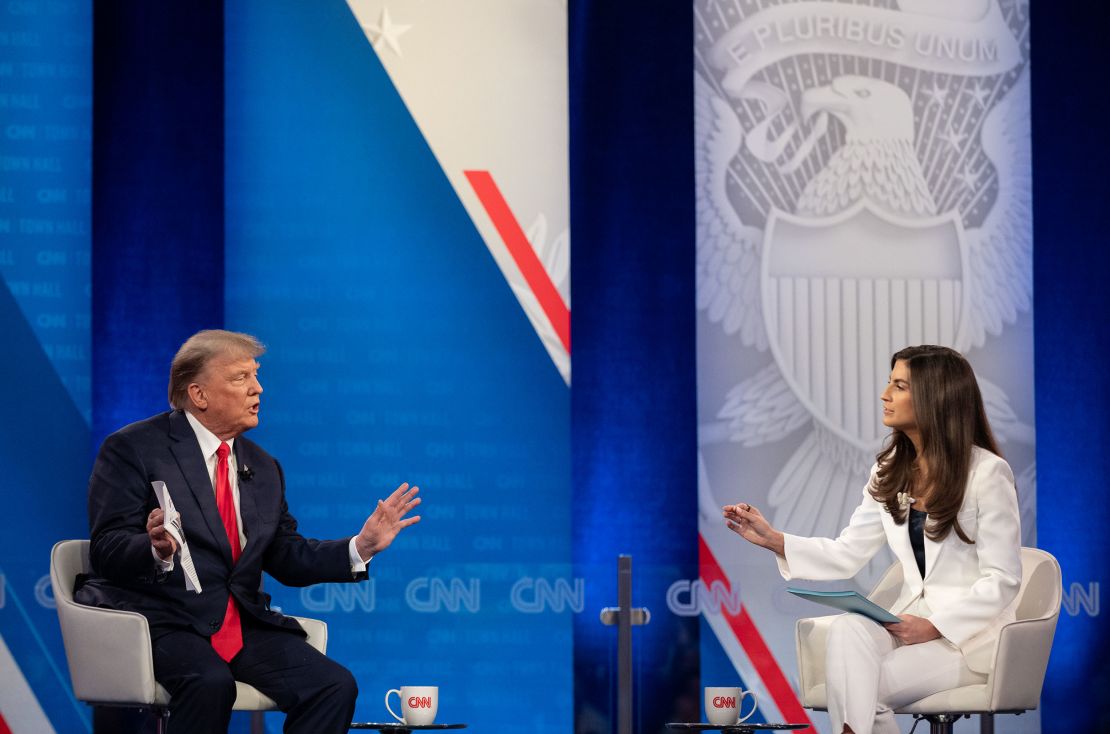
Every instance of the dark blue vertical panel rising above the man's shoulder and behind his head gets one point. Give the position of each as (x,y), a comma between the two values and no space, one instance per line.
(158,197)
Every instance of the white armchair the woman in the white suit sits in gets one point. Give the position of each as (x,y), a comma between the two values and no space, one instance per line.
(1014,685)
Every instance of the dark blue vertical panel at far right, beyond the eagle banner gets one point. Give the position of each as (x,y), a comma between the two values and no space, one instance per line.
(1072,269)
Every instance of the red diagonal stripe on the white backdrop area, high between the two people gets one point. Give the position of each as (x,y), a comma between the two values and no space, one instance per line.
(523,255)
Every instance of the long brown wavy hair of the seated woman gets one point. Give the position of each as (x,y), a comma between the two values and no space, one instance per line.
(952,420)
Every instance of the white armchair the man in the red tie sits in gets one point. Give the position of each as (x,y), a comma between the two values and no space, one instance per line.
(109,651)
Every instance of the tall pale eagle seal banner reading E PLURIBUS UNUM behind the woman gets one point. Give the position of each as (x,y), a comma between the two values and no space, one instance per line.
(863,185)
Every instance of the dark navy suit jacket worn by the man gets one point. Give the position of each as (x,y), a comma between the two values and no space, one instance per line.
(125,575)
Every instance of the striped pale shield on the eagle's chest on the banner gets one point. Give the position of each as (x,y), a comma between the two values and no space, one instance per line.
(842,294)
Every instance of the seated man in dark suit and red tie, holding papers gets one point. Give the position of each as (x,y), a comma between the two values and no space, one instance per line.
(231,497)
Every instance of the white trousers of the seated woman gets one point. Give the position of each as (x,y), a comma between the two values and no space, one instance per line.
(869,673)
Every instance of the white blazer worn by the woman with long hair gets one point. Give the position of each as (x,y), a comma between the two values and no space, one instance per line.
(972,590)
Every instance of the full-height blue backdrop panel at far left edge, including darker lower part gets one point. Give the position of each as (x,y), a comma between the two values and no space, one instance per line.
(45,124)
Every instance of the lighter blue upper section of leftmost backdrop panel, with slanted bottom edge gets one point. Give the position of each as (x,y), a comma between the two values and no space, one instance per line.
(46,97)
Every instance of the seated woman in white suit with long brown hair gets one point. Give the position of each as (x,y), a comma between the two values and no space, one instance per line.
(945,501)
